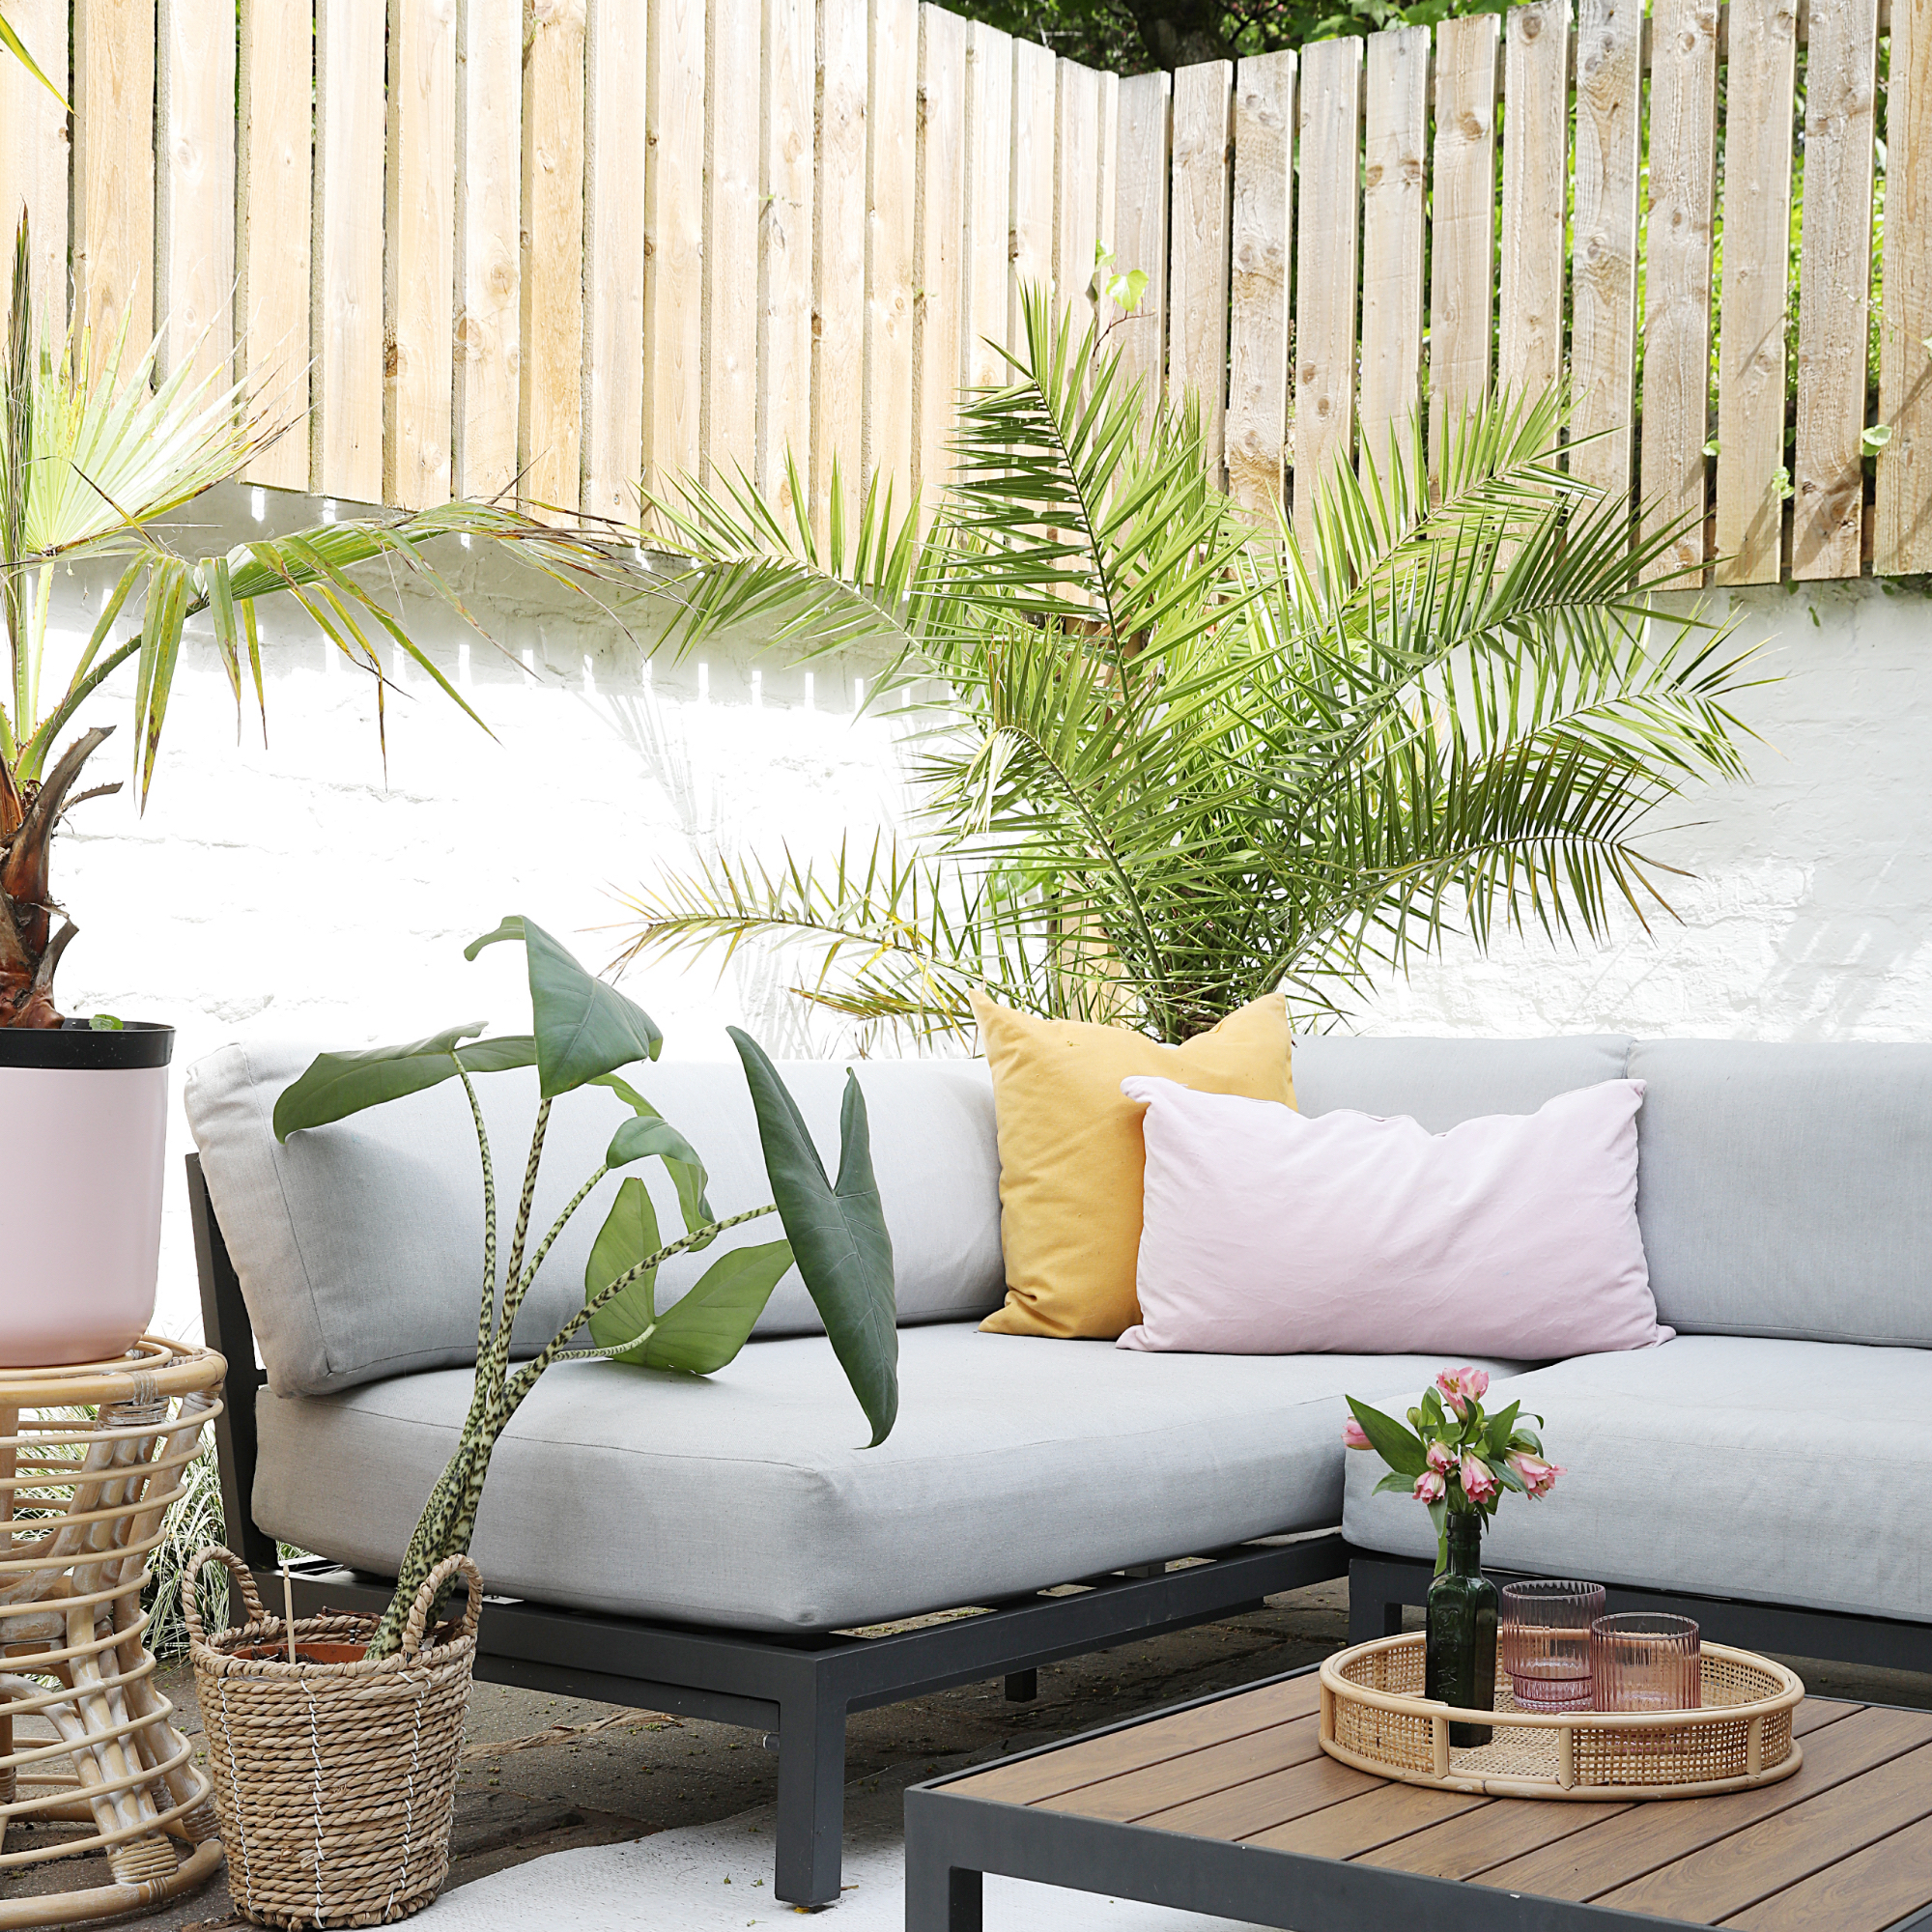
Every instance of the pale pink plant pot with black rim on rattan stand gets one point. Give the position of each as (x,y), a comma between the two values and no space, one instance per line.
(88,1131)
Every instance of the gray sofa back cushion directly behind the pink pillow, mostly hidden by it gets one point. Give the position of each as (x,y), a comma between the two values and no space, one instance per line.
(1444,1083)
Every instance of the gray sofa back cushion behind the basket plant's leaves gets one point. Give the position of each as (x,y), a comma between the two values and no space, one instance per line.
(360,1245)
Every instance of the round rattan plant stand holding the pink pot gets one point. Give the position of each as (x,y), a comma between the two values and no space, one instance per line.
(90,1462)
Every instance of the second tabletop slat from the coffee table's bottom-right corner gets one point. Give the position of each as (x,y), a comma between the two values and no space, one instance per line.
(1767,1858)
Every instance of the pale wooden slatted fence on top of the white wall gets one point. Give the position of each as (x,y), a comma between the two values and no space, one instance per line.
(575,244)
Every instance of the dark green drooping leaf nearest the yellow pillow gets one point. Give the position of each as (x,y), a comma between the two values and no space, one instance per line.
(838,1232)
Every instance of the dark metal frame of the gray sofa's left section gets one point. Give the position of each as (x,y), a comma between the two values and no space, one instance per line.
(797,1691)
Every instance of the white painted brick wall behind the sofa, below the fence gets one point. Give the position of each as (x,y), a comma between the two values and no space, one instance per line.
(297,894)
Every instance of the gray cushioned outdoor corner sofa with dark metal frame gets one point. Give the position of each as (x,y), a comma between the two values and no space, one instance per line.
(714,1547)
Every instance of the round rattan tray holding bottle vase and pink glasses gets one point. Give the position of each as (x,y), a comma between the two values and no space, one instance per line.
(1377,1719)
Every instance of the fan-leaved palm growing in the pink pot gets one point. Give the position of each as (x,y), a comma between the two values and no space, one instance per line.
(92,453)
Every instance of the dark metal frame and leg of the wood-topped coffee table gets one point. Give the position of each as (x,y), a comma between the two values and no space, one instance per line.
(955,1840)
